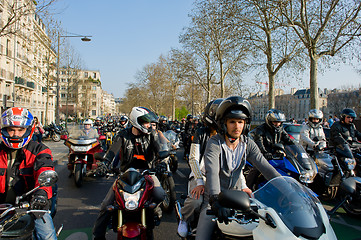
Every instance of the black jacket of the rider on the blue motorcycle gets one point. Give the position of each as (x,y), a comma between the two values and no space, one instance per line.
(265,137)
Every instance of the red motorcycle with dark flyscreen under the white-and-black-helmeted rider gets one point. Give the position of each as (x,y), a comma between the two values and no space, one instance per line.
(133,211)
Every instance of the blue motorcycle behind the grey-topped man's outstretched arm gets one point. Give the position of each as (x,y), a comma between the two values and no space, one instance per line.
(289,160)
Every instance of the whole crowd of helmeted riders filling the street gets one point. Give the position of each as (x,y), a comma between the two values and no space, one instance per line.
(216,146)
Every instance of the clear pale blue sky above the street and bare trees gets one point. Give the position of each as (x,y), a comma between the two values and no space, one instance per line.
(129,34)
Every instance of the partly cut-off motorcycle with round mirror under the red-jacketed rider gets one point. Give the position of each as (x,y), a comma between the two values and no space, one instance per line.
(16,221)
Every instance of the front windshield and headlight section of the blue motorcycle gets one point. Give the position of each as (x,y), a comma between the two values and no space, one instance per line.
(302,161)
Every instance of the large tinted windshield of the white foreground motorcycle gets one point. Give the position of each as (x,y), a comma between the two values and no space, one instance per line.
(294,204)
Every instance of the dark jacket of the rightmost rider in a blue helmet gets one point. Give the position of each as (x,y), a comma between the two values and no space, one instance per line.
(341,133)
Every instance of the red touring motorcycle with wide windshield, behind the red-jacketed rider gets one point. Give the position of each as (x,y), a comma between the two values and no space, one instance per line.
(81,160)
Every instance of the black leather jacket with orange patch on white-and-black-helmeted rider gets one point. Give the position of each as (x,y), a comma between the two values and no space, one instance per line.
(129,150)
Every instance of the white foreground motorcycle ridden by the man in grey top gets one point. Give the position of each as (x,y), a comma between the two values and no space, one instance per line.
(282,209)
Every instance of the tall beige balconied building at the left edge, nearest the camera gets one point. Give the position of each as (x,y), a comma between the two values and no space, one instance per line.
(26,61)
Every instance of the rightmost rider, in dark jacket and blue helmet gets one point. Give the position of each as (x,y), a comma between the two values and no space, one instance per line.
(344,131)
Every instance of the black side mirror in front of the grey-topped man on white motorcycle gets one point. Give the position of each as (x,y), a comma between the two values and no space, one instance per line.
(235,199)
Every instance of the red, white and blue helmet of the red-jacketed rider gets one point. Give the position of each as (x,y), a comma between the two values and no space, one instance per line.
(17,117)
